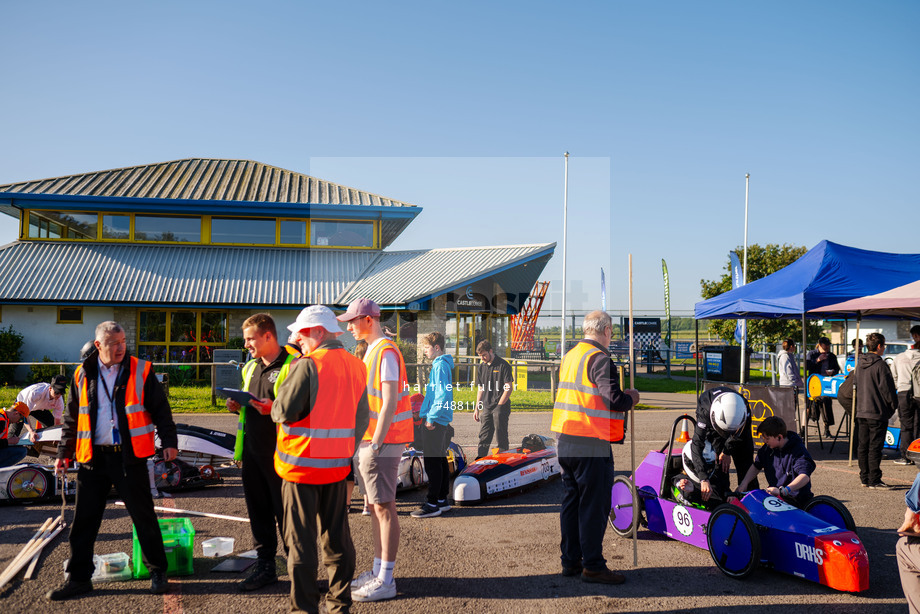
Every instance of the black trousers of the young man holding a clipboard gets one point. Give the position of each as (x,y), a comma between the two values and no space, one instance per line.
(262,491)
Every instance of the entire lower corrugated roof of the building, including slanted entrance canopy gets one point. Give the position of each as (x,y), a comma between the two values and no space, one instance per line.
(33,272)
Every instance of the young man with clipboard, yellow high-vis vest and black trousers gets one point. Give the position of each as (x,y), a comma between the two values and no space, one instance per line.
(255,446)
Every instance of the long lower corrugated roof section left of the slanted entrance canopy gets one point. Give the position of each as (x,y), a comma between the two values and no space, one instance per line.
(113,273)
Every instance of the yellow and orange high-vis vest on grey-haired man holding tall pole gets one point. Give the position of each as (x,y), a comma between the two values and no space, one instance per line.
(580,409)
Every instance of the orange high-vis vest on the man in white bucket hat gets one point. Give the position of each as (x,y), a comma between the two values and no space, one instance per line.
(318,449)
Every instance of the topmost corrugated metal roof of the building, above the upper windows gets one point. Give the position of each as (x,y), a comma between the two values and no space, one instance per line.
(205,179)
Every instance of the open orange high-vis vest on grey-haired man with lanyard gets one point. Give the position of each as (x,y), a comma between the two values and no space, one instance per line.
(140,426)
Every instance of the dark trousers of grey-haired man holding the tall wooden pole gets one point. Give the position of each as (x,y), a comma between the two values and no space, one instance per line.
(587,479)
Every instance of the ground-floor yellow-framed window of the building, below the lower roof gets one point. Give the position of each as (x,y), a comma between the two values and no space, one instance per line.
(180,335)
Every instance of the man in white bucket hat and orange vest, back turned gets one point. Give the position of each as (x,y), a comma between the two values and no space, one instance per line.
(322,411)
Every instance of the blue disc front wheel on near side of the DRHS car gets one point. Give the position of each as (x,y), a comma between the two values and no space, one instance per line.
(733,540)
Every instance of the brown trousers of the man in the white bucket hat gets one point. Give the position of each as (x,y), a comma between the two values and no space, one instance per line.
(305,505)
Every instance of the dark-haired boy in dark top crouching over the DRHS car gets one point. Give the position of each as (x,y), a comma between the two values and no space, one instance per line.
(785,461)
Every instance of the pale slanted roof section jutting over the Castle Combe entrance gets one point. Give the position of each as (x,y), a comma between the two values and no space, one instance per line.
(398,278)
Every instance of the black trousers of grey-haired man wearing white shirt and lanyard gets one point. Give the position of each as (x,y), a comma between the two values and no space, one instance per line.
(132,485)
